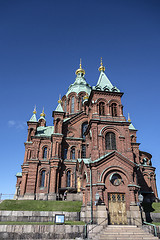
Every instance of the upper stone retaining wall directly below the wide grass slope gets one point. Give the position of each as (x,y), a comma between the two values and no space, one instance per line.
(36,216)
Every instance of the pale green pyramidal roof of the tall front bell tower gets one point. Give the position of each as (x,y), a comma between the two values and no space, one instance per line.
(104,84)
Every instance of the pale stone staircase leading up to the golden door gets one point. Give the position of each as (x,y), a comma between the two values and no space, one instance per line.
(123,232)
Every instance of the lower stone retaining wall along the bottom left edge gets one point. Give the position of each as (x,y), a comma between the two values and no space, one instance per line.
(41,231)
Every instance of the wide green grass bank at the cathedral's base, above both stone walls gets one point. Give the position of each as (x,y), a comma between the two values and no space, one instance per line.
(31,205)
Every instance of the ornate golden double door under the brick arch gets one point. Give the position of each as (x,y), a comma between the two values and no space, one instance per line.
(117,208)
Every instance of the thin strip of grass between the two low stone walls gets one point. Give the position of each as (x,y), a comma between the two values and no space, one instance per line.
(42,223)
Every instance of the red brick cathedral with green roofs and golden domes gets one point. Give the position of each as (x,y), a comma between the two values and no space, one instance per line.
(90,152)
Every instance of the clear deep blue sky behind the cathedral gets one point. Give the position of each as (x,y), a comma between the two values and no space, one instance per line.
(41,43)
